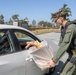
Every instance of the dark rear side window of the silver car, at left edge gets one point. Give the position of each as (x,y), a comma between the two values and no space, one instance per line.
(4,44)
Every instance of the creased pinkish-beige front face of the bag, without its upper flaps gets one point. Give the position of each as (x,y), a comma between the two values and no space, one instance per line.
(41,58)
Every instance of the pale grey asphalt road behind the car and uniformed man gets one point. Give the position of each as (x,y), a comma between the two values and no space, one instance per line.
(54,36)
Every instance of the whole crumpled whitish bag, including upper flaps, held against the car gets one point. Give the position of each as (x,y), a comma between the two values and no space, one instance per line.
(42,56)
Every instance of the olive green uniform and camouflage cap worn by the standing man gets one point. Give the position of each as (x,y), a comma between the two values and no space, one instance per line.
(67,43)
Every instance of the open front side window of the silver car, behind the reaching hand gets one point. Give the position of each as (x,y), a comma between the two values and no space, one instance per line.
(23,38)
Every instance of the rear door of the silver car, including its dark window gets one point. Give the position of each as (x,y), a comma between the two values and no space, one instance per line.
(11,62)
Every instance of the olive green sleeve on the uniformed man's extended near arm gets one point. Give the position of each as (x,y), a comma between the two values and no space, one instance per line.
(65,43)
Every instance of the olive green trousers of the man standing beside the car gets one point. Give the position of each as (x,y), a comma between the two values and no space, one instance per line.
(70,68)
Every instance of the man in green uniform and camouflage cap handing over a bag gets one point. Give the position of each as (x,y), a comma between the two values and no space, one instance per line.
(67,43)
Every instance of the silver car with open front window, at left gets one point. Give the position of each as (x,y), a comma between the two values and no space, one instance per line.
(14,58)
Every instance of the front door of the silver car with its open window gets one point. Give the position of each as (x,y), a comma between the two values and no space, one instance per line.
(24,36)
